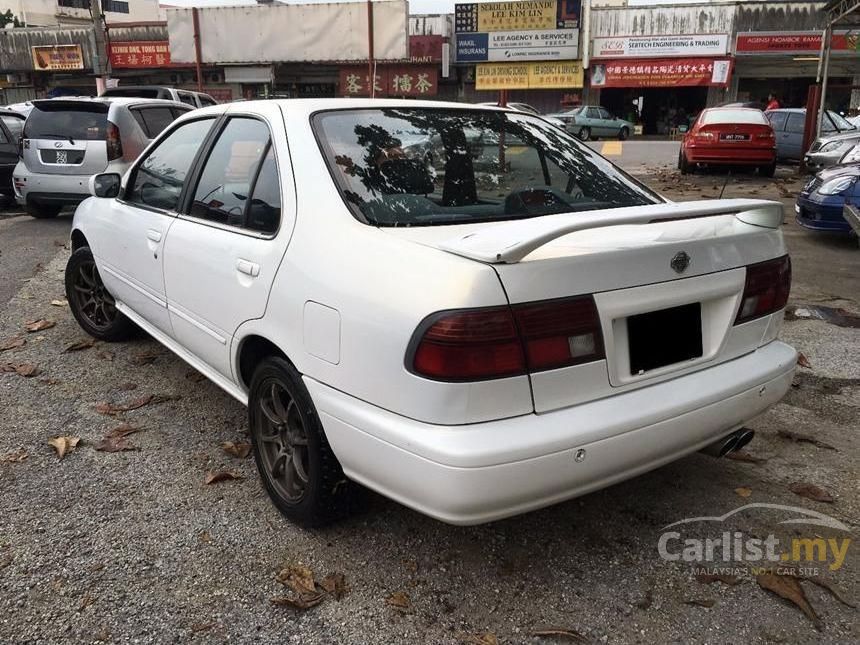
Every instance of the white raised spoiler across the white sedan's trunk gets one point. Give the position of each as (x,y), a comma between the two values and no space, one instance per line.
(510,242)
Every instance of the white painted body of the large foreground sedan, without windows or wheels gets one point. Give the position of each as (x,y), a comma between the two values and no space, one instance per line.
(343,300)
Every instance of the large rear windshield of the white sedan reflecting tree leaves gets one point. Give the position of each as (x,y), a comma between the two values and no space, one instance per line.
(428,166)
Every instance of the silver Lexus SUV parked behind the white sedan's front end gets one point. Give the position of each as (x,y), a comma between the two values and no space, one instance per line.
(67,141)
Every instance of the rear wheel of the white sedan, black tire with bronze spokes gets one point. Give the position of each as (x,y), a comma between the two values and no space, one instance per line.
(286,429)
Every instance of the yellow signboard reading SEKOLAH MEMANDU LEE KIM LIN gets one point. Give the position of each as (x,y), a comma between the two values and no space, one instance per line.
(544,15)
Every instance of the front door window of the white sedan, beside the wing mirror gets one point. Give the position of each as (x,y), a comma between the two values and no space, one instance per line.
(159,178)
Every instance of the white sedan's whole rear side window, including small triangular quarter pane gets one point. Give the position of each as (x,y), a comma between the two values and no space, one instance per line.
(239,158)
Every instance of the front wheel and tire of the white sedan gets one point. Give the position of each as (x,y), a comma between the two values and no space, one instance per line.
(91,303)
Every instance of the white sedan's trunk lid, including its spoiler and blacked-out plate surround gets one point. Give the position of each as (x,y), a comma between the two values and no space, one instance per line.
(667,276)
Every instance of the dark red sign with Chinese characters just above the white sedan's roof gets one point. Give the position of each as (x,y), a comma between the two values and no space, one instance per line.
(390,80)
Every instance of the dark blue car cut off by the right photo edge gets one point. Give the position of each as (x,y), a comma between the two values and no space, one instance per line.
(820,204)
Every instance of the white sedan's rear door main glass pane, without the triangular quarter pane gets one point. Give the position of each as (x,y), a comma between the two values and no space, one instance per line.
(225,184)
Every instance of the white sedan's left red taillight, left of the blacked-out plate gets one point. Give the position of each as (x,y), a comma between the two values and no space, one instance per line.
(496,342)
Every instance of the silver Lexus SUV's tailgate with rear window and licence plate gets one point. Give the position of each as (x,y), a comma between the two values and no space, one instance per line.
(66,137)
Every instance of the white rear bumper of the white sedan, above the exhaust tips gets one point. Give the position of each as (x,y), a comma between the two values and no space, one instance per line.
(482,472)
